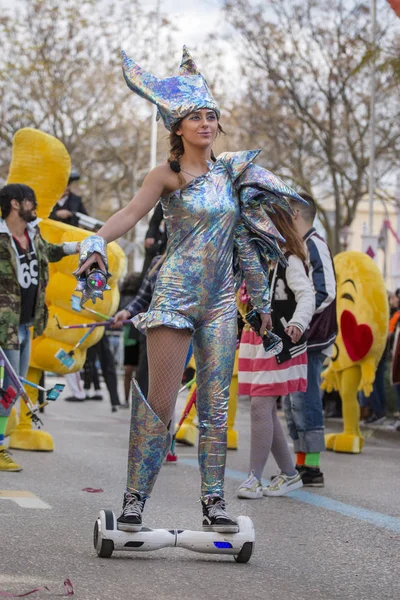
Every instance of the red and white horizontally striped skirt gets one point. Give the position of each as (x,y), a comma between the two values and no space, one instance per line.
(260,376)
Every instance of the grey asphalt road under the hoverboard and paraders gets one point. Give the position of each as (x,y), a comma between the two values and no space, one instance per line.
(340,542)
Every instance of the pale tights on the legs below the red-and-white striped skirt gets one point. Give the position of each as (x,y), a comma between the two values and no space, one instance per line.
(267,435)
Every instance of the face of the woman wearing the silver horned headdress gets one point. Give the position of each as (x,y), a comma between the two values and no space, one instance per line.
(199,128)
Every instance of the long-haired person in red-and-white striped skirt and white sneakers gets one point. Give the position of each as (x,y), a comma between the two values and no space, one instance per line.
(264,378)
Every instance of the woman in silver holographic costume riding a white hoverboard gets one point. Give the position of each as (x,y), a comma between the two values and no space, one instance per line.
(218,231)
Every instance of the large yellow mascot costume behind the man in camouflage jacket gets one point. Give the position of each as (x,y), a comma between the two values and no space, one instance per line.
(42,162)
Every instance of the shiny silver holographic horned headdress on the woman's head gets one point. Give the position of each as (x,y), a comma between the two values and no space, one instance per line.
(175,97)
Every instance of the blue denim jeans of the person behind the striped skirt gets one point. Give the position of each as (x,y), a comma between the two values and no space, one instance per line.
(303,410)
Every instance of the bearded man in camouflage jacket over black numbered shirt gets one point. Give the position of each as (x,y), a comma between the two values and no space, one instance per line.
(24,258)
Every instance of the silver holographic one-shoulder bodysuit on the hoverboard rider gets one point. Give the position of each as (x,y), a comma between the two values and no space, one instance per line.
(195,289)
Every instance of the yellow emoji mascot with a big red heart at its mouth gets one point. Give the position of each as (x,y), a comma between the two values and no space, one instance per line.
(363,315)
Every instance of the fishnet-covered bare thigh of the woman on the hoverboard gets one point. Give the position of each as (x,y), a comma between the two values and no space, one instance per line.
(167,349)
